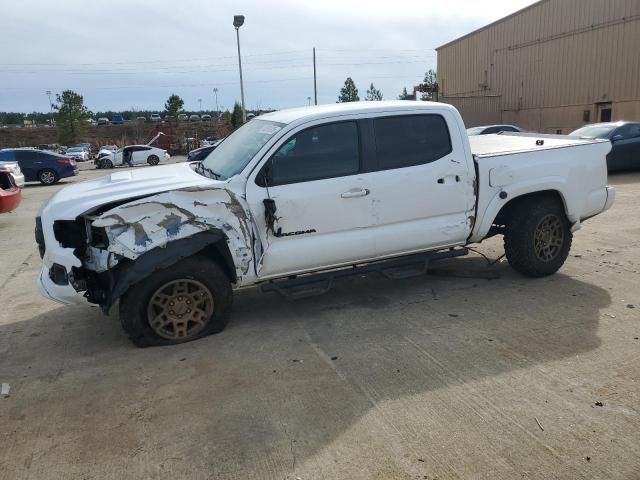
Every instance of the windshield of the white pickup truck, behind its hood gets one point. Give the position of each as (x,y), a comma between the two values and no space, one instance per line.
(237,150)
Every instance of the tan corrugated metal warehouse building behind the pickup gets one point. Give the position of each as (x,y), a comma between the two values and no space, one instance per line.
(551,67)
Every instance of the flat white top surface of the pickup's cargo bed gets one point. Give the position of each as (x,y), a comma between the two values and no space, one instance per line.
(510,143)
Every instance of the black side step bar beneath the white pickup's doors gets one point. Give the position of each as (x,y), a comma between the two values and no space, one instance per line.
(302,286)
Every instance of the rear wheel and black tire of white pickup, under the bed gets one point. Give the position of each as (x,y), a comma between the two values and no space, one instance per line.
(538,237)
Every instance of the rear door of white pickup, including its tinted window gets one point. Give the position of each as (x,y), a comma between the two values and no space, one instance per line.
(423,190)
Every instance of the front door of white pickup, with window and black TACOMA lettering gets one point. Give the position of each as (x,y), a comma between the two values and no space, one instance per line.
(322,198)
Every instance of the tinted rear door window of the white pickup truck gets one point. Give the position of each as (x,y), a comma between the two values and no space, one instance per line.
(410,140)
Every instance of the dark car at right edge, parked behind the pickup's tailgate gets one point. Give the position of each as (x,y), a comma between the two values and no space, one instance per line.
(625,141)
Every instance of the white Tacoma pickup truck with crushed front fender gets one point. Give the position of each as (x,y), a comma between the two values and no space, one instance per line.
(296,198)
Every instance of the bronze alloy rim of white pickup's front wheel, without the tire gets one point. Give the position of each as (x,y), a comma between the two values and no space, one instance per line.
(180,309)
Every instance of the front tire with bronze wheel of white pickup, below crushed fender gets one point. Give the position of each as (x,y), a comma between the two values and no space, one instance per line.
(141,301)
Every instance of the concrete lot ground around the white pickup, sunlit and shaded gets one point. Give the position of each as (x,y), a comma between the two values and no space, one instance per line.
(471,372)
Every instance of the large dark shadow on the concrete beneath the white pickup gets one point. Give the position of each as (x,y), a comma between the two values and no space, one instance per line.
(284,377)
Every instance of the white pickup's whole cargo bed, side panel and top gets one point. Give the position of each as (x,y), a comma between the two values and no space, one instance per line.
(510,165)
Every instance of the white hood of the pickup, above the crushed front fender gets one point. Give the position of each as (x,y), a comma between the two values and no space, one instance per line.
(82,197)
